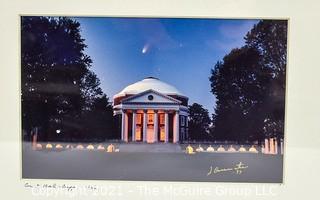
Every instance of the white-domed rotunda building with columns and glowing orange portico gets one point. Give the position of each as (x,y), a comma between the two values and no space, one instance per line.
(151,111)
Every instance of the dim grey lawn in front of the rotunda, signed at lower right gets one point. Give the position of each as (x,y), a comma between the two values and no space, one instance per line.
(150,166)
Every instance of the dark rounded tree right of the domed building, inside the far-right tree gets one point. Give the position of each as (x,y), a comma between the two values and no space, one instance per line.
(239,84)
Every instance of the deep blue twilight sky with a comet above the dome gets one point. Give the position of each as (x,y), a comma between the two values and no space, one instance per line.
(180,52)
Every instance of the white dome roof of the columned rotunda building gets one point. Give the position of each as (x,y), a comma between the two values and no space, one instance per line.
(149,83)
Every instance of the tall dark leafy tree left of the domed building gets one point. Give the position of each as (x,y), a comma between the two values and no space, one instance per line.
(56,81)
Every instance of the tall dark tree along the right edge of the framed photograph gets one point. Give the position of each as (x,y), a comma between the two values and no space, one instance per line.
(270,38)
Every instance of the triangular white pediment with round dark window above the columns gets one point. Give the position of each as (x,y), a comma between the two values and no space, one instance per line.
(151,96)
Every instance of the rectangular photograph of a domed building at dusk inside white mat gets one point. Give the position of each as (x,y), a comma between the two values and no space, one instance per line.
(116,91)
